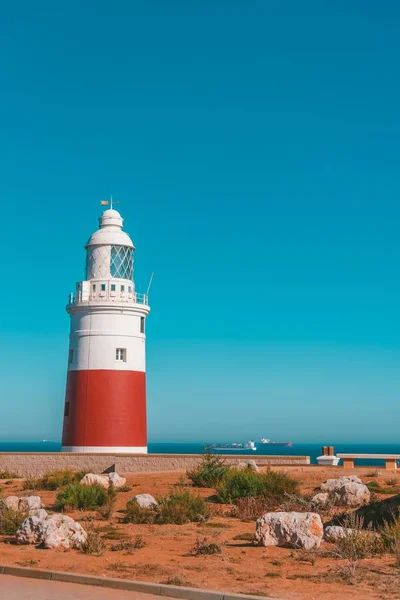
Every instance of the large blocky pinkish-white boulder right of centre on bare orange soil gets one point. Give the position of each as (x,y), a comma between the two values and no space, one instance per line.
(290,530)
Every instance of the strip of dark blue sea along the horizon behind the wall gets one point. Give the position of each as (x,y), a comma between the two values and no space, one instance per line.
(311,450)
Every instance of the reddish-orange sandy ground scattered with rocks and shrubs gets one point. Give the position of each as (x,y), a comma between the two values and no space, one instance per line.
(242,567)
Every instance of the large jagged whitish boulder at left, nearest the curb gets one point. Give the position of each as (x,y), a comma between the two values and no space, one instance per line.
(51,532)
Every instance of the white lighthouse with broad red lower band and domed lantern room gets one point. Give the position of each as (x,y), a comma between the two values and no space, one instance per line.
(105,401)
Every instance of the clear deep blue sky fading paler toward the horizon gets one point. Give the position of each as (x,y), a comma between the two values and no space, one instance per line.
(254,147)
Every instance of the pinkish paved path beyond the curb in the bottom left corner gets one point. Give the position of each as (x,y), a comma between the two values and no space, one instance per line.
(24,588)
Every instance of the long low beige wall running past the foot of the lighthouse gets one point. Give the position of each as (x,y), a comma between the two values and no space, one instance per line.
(36,464)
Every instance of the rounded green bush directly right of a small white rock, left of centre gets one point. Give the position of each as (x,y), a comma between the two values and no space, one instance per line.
(182,507)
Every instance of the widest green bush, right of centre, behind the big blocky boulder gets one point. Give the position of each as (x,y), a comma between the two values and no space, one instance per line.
(241,484)
